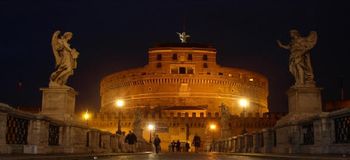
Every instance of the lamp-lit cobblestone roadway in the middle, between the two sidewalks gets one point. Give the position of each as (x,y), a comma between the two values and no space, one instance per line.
(184,156)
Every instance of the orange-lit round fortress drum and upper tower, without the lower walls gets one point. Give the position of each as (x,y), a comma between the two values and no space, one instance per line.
(185,76)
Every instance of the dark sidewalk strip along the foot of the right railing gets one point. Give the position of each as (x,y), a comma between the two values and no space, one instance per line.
(294,156)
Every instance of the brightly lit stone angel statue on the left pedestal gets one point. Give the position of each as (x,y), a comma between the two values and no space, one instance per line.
(65,56)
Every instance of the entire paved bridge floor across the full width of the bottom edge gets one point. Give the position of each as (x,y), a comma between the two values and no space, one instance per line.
(175,156)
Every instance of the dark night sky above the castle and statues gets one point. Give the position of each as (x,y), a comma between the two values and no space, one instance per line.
(115,35)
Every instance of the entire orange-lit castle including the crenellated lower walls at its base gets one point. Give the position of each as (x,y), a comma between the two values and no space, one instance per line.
(181,90)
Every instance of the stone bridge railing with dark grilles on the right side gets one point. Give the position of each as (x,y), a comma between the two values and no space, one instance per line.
(326,133)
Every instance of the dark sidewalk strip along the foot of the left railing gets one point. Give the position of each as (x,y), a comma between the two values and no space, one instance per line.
(61,156)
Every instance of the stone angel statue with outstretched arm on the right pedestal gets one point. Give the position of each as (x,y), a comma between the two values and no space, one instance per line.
(299,59)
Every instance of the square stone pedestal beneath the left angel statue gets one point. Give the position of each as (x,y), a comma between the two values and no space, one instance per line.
(58,102)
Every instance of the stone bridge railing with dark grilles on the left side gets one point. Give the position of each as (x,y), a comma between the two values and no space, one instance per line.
(22,132)
